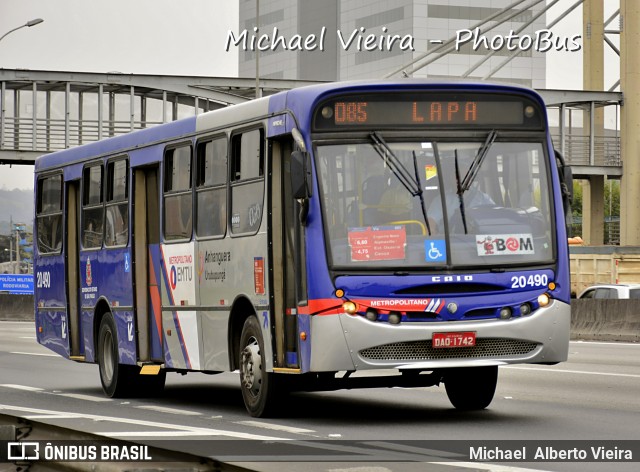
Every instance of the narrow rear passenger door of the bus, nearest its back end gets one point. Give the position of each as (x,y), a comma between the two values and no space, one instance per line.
(72,256)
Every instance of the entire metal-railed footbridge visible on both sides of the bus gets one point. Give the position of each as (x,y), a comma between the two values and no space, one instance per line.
(45,111)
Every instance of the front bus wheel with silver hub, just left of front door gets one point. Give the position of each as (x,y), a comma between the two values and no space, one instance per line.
(258,386)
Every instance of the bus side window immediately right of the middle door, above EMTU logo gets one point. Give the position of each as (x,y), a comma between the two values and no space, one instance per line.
(178,221)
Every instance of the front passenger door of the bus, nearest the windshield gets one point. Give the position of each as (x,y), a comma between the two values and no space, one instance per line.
(288,278)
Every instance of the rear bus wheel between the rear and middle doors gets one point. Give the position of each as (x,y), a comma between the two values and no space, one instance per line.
(116,378)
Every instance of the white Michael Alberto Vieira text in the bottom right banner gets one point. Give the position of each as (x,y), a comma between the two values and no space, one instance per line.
(550,453)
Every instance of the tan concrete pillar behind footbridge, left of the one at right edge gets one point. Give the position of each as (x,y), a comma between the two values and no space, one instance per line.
(593,122)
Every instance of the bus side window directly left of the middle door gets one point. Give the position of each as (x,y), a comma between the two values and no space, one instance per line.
(117,204)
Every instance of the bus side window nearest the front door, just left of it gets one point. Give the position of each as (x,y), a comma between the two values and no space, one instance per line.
(247,181)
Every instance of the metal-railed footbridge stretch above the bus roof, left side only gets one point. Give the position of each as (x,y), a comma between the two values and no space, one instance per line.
(45,111)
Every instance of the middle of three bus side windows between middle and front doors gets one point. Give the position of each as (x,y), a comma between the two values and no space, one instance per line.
(211,188)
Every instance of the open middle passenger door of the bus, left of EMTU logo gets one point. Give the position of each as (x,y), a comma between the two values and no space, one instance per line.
(146,263)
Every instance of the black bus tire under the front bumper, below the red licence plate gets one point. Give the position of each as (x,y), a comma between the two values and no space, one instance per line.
(471,388)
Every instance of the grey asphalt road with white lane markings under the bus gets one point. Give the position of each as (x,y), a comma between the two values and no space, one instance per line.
(592,398)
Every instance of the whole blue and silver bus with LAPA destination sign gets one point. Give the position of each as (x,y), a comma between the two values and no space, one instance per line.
(343,235)
